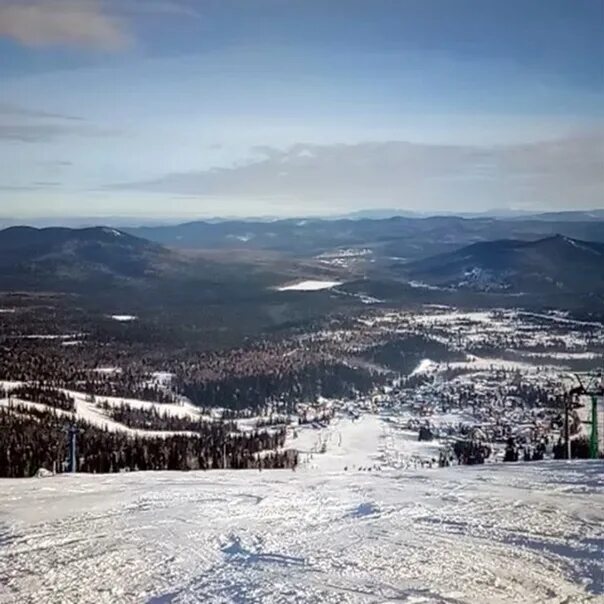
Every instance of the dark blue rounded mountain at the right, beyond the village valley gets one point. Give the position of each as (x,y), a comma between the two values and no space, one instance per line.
(553,264)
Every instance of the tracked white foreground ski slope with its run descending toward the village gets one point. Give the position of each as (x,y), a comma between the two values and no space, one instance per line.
(510,533)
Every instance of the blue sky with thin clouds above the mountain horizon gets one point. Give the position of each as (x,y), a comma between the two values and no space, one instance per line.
(170,109)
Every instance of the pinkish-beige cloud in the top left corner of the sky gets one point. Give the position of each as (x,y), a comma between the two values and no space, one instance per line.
(93,24)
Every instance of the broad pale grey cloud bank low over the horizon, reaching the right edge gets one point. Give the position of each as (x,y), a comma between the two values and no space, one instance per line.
(548,174)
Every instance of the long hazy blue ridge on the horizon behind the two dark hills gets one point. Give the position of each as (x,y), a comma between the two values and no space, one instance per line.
(400,237)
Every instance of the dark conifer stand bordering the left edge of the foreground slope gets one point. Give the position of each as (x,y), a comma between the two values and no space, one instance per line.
(31,439)
